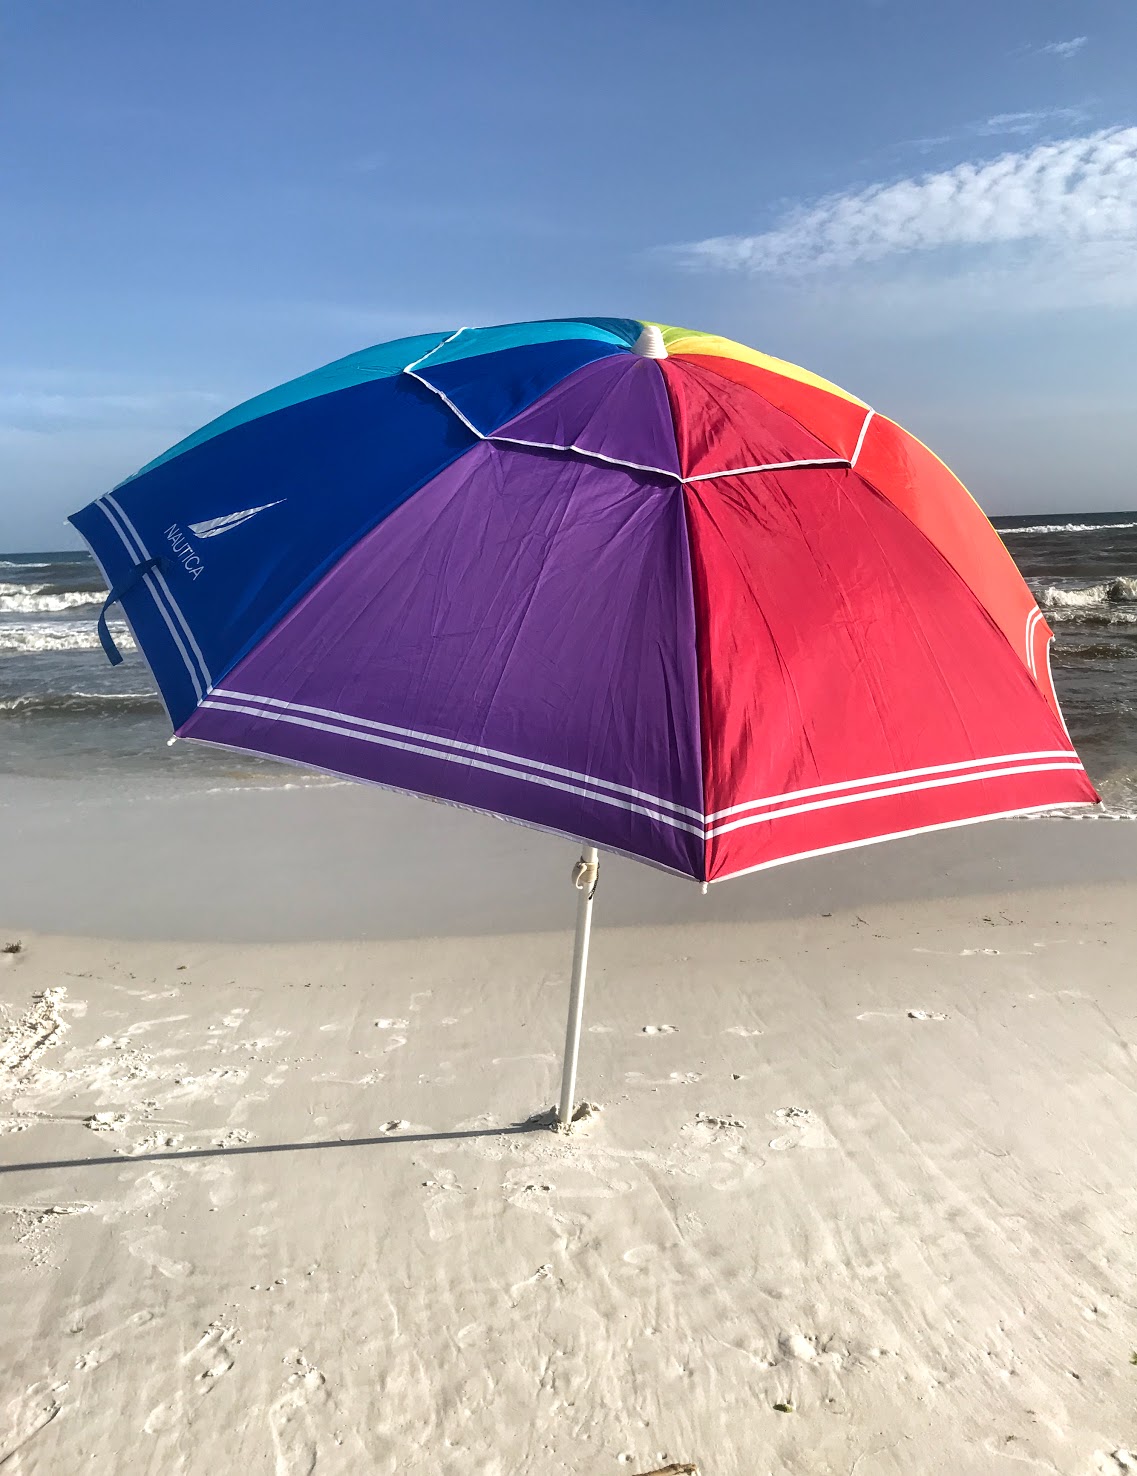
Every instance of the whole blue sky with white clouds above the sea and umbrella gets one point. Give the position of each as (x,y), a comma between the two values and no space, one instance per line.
(934,206)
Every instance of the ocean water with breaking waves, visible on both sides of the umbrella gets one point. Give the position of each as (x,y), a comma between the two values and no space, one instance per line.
(67,714)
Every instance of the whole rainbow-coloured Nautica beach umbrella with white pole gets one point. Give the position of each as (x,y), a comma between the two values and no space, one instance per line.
(634,585)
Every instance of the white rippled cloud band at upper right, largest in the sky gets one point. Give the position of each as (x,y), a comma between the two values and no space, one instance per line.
(1055,196)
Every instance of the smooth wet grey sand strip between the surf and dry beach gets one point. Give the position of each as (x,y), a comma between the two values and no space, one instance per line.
(333,863)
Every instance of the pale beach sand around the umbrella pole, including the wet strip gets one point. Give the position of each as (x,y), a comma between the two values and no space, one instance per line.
(860,1198)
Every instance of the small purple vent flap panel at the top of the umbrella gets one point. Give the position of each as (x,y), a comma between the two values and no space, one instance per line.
(615,408)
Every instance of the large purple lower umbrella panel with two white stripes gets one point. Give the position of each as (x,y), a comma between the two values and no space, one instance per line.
(519,638)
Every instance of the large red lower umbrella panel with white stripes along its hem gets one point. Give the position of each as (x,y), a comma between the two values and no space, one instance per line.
(851,684)
